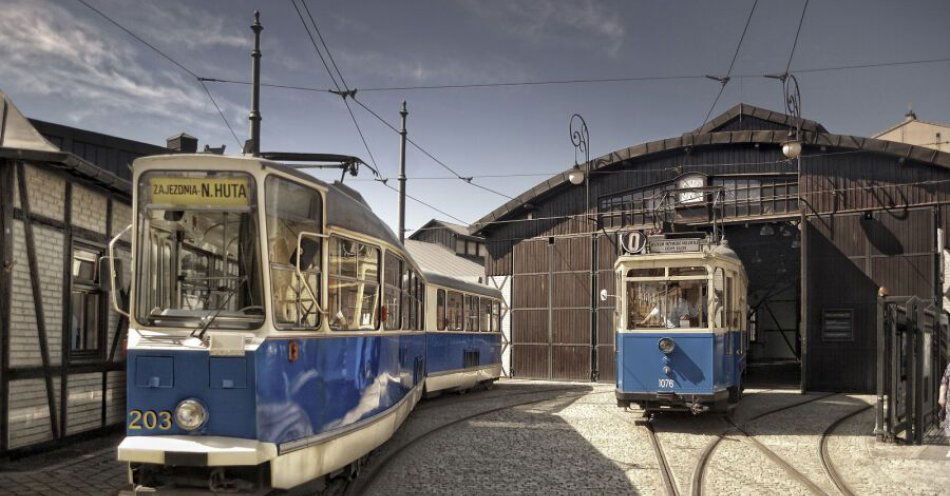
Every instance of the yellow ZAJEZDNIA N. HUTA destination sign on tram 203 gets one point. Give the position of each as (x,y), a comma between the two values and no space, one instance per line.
(200,191)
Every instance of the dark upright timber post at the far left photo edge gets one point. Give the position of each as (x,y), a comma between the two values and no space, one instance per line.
(6,285)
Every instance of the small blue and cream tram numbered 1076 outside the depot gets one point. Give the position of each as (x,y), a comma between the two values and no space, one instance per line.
(681,325)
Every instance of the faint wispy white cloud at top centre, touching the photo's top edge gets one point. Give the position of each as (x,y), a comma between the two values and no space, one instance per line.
(546,22)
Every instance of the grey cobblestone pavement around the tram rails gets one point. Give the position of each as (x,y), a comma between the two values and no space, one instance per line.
(556,438)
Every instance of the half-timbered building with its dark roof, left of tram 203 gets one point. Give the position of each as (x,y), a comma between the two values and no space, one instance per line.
(64,193)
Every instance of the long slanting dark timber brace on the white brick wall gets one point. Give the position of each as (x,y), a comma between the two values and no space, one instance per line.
(30,242)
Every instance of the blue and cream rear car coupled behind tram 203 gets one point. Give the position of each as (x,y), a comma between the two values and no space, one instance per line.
(463,342)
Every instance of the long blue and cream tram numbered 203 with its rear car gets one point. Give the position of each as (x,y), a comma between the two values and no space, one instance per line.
(277,327)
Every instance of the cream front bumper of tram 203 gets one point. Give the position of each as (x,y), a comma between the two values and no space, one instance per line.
(195,451)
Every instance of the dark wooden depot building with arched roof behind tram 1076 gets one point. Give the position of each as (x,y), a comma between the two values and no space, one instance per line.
(818,238)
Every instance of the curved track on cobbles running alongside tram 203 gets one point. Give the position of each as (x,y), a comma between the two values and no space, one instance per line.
(359,485)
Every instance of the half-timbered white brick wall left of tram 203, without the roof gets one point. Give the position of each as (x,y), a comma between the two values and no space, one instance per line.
(54,384)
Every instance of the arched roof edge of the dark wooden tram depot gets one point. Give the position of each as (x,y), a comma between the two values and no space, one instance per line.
(740,124)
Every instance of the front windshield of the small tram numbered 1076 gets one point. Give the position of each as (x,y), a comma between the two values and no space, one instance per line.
(655,301)
